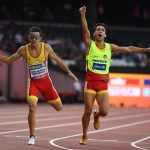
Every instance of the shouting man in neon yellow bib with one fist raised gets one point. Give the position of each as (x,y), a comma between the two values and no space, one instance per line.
(98,56)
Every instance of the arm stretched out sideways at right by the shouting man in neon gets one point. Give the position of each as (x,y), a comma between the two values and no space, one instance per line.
(129,49)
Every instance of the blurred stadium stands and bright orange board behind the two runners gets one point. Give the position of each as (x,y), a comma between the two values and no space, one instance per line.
(128,24)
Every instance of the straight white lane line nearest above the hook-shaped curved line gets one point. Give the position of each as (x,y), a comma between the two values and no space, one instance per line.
(73,117)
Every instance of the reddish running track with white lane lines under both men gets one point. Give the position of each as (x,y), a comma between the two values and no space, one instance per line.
(122,129)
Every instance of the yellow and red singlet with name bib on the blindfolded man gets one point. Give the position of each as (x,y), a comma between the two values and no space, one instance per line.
(37,66)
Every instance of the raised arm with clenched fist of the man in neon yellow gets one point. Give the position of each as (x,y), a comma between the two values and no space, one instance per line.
(86,33)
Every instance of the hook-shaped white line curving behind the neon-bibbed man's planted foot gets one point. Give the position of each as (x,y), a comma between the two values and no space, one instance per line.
(102,130)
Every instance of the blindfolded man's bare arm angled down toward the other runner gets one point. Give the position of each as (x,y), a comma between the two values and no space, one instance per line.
(53,56)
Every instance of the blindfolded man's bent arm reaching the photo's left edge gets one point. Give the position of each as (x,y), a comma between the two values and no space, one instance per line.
(13,57)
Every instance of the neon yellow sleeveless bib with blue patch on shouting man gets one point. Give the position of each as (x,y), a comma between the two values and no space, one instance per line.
(99,61)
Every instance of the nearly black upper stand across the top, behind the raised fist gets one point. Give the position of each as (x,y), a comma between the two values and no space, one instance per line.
(112,12)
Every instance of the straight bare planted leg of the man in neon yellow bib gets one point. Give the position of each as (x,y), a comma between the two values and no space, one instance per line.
(88,102)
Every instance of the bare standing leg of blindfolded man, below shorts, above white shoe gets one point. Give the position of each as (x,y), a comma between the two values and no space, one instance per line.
(31,116)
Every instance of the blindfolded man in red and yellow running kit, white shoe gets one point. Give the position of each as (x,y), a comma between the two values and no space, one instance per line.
(36,54)
